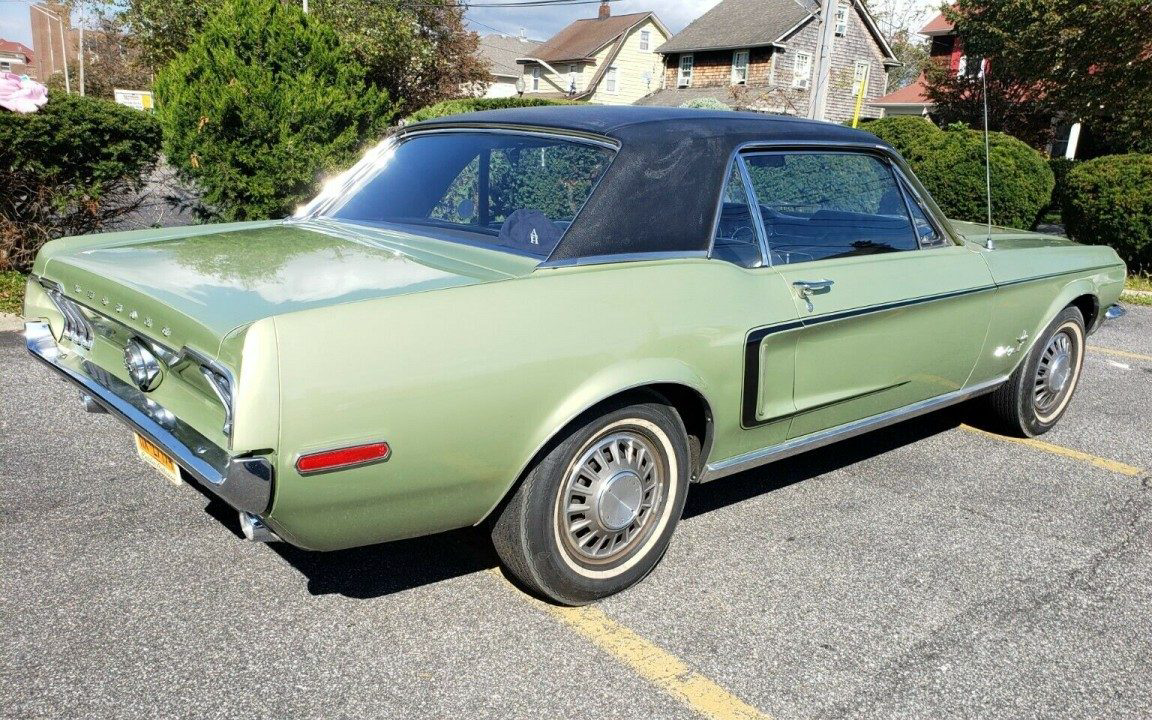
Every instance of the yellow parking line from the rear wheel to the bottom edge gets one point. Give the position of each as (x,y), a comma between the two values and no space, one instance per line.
(654,664)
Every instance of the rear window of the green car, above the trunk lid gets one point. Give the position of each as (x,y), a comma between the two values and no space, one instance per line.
(512,192)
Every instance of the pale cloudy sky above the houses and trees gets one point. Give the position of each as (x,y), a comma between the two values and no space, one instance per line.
(539,24)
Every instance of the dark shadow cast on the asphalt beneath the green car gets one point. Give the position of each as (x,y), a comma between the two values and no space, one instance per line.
(380,571)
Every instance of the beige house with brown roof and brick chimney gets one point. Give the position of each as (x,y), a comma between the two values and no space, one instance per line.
(611,60)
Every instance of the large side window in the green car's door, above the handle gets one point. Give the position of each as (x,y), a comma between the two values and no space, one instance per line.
(820,206)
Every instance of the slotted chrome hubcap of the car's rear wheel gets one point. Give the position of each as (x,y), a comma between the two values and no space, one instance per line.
(612,497)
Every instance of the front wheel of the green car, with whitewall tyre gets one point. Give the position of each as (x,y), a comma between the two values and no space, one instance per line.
(1037,395)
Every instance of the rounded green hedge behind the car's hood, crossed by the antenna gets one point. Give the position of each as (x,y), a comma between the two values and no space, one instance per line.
(951,165)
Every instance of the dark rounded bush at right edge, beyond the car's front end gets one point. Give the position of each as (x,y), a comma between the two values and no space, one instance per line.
(1109,202)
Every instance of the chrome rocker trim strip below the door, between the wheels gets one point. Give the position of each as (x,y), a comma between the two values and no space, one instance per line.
(843,433)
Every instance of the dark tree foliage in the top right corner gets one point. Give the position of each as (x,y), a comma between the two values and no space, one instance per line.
(1088,60)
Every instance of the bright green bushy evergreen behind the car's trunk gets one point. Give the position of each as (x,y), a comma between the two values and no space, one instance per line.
(262,105)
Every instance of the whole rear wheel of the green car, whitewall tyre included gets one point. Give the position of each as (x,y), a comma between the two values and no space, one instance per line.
(597,512)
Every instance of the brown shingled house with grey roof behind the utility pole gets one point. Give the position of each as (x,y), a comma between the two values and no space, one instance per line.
(762,56)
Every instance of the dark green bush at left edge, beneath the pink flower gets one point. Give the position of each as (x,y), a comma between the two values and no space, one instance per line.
(71,169)
